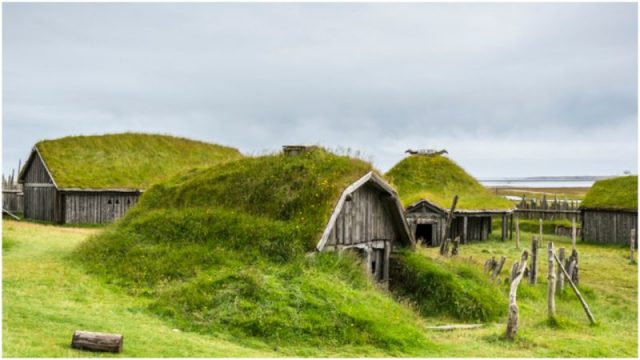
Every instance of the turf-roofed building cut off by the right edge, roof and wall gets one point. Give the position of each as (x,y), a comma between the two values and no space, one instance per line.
(610,211)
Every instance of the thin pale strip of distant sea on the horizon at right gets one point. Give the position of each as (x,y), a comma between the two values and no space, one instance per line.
(543,181)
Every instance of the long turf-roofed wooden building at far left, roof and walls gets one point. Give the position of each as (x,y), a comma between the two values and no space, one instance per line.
(96,179)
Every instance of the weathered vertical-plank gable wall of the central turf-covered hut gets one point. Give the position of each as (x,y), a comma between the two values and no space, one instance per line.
(363,219)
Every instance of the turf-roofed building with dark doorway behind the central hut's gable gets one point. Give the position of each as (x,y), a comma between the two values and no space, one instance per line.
(427,184)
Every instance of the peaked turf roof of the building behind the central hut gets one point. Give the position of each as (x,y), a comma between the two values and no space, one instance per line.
(437,179)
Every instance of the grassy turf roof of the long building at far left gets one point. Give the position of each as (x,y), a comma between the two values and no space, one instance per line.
(127,160)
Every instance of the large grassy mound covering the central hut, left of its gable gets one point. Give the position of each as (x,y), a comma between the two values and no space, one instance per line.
(222,249)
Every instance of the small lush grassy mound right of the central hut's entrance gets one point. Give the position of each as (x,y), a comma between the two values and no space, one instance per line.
(455,289)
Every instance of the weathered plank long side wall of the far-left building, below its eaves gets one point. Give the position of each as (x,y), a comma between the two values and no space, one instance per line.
(96,207)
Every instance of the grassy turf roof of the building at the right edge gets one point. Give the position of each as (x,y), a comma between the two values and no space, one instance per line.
(619,193)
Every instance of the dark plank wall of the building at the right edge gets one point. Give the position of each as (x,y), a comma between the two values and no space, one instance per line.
(610,227)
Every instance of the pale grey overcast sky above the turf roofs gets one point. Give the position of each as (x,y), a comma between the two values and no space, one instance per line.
(508,90)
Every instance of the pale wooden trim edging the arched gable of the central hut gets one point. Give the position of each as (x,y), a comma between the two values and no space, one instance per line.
(369,177)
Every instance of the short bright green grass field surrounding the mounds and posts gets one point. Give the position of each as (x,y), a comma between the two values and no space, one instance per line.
(47,295)
